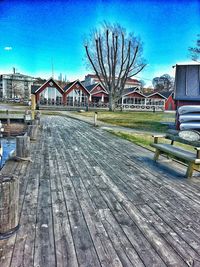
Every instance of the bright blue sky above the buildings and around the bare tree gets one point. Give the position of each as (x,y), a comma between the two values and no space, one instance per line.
(36,33)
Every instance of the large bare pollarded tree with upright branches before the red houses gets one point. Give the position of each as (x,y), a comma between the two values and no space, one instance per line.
(114,56)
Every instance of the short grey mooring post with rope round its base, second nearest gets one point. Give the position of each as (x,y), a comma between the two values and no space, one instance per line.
(23,147)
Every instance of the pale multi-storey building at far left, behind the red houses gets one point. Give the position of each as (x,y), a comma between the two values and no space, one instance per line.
(15,85)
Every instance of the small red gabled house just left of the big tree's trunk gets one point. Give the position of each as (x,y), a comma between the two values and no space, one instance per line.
(98,95)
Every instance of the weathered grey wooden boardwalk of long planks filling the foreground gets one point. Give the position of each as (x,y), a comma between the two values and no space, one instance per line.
(90,199)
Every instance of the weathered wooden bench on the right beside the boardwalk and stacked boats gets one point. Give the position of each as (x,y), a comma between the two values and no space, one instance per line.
(189,157)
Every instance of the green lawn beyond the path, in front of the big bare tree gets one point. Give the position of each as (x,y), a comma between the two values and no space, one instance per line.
(146,121)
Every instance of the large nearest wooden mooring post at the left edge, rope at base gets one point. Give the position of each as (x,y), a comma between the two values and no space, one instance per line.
(9,201)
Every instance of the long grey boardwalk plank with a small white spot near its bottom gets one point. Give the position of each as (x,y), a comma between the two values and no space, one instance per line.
(44,254)
